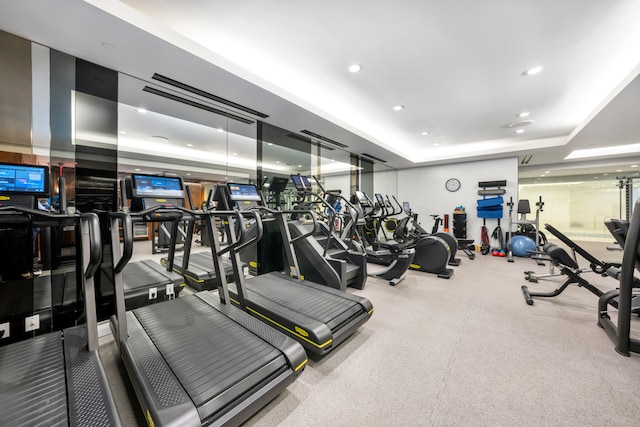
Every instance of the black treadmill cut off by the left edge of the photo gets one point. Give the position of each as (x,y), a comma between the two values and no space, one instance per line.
(57,378)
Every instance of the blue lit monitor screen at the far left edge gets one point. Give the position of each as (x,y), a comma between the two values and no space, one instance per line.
(24,179)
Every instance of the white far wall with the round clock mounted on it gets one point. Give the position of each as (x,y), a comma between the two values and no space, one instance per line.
(424,189)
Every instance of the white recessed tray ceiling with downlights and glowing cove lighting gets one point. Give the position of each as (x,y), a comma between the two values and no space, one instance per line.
(456,66)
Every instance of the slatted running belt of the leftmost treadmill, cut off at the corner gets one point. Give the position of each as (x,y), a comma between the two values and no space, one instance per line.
(32,389)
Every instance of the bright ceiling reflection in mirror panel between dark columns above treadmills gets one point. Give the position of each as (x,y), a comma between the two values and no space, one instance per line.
(170,132)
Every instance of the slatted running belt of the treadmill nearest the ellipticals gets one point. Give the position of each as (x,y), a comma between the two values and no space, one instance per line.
(321,305)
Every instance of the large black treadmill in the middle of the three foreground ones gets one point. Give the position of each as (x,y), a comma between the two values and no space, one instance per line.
(196,360)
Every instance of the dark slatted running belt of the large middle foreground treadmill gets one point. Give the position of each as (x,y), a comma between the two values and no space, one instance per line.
(215,359)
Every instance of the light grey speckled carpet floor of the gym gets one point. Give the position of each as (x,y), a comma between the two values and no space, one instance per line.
(461,352)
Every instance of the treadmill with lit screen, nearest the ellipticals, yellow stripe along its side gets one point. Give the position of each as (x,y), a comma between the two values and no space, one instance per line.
(317,316)
